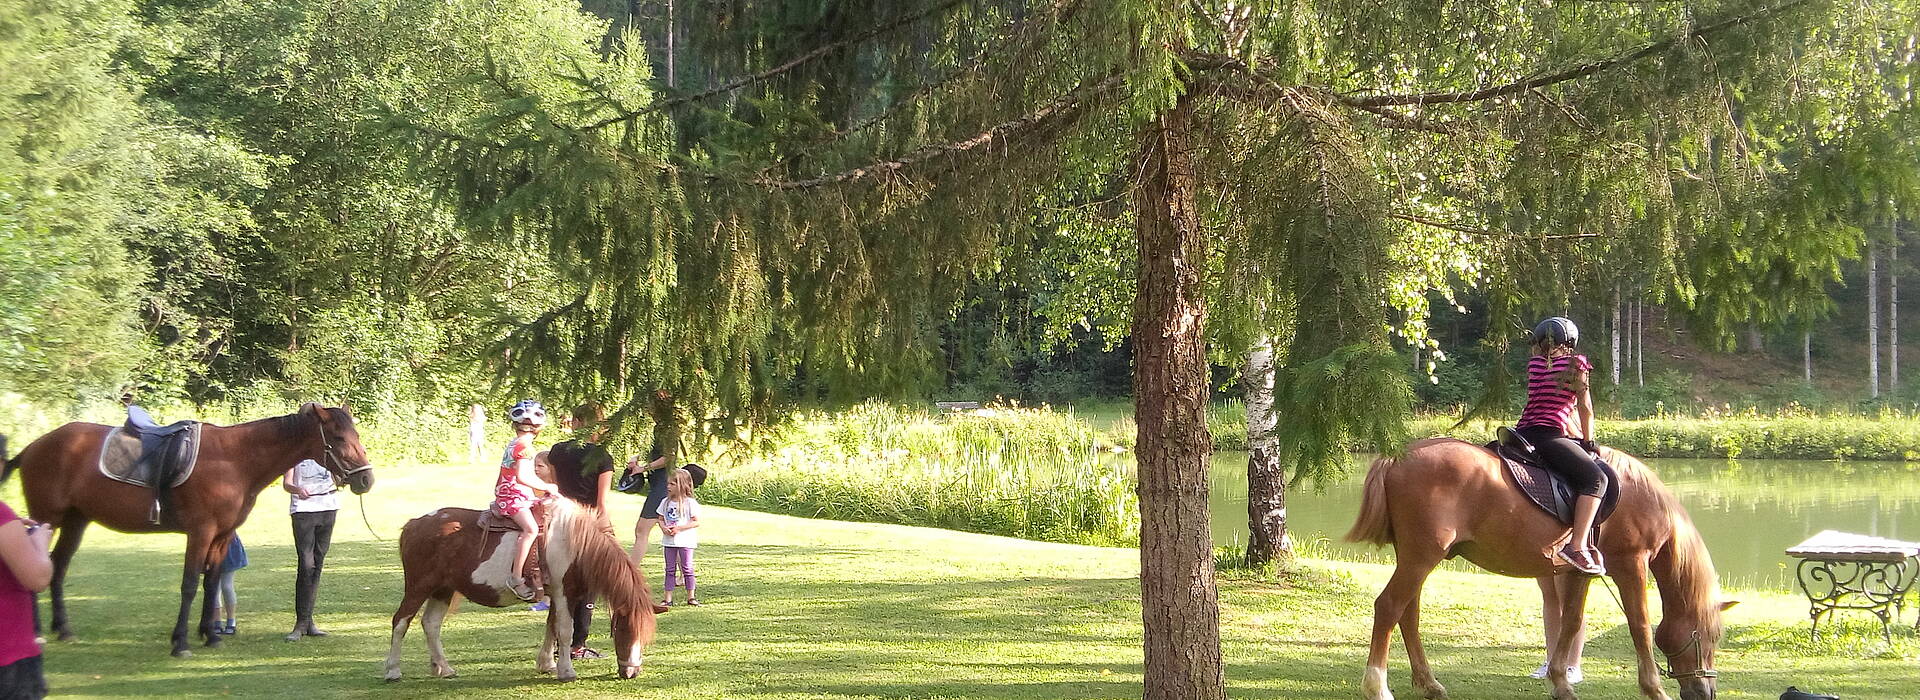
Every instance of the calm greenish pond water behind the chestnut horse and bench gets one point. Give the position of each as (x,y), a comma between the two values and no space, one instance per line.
(1748,511)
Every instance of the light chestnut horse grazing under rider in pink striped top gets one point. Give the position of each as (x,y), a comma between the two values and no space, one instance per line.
(1449,498)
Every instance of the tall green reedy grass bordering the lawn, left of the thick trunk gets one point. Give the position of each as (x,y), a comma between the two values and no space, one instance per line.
(1001,471)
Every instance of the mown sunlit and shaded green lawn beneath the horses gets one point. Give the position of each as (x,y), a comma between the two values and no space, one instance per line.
(813,609)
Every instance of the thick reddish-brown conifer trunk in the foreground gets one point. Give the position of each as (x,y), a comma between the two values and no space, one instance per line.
(1180,601)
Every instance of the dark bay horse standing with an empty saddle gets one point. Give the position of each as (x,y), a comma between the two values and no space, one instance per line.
(237,463)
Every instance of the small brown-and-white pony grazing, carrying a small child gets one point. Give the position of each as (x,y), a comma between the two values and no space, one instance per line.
(444,553)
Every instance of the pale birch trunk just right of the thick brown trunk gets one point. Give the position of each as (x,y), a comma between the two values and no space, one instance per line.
(1266,480)
